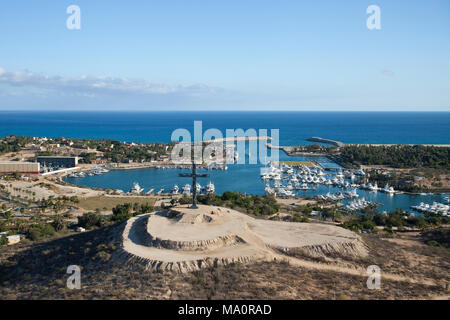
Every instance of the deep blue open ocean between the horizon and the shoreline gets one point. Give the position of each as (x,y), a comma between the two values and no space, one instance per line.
(295,127)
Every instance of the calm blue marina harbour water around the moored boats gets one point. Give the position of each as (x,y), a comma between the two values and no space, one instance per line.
(243,178)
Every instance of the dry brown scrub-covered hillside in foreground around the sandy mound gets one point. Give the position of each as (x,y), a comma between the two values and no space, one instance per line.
(39,272)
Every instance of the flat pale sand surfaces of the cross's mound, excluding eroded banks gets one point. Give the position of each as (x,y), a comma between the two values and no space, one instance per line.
(258,235)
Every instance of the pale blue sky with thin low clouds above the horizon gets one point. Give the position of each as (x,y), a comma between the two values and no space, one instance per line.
(211,55)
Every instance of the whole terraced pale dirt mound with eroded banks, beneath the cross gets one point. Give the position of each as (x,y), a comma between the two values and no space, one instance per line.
(182,239)
